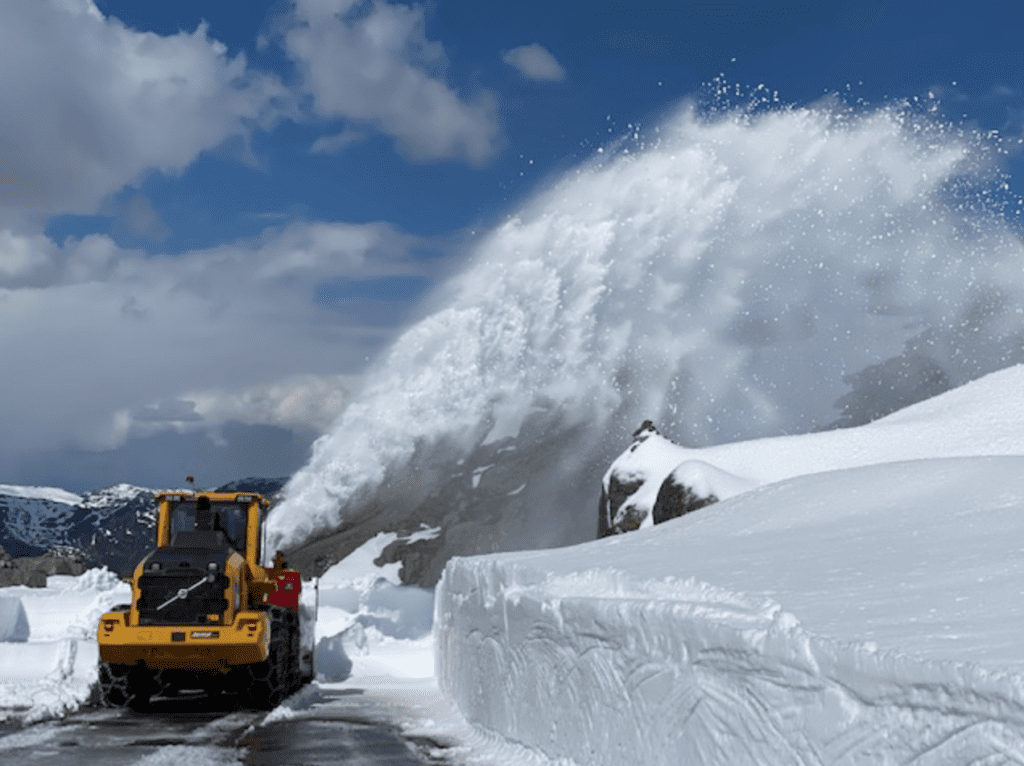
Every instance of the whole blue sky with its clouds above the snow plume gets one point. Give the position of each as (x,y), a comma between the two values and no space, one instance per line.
(216,215)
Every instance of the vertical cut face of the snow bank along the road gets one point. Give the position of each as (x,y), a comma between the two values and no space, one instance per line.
(701,676)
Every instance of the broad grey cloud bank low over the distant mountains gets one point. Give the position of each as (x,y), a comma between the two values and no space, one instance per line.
(103,344)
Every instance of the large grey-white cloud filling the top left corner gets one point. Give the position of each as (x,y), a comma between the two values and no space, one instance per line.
(91,105)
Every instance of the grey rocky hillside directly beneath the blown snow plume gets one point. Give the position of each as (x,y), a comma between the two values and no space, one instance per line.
(492,500)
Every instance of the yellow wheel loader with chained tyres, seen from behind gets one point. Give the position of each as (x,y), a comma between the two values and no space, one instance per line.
(204,614)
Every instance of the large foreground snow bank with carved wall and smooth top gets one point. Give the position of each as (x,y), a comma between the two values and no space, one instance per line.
(865,616)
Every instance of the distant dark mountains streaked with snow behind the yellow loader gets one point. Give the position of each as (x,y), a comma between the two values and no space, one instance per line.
(112,527)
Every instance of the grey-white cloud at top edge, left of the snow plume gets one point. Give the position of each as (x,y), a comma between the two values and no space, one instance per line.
(371,64)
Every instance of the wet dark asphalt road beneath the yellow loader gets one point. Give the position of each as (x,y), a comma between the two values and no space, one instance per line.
(331,730)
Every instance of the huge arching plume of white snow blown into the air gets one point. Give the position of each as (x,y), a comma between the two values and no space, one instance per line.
(730,275)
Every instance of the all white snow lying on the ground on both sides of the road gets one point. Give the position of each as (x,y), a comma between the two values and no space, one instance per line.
(869,612)
